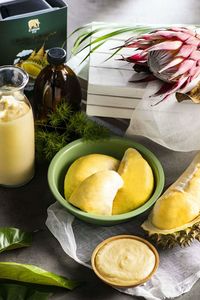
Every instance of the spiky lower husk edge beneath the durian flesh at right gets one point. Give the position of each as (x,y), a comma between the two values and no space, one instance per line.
(182,236)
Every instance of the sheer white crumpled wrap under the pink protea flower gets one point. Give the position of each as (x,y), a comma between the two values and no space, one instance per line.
(169,123)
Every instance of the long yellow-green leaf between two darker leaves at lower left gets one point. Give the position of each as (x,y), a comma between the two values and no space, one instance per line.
(33,274)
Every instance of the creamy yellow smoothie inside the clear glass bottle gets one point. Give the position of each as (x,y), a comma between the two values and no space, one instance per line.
(16,140)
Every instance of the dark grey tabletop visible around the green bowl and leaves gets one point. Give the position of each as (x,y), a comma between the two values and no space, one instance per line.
(26,207)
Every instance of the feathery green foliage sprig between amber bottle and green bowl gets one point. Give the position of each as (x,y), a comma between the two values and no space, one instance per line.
(62,127)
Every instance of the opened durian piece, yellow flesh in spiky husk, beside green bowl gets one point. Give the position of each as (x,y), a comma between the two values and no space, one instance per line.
(175,218)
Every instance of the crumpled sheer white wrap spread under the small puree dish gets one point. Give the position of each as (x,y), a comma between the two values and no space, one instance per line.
(178,271)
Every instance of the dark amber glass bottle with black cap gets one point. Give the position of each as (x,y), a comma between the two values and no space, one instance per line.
(56,83)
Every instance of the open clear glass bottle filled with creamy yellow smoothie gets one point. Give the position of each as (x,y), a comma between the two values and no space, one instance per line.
(17,149)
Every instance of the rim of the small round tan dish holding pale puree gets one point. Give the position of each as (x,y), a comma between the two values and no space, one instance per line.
(150,246)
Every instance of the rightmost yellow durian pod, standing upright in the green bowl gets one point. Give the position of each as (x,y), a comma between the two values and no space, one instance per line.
(138,182)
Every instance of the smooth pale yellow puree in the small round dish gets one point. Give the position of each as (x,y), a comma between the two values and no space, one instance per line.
(125,261)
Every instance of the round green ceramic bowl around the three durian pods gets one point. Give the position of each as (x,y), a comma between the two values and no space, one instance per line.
(115,146)
